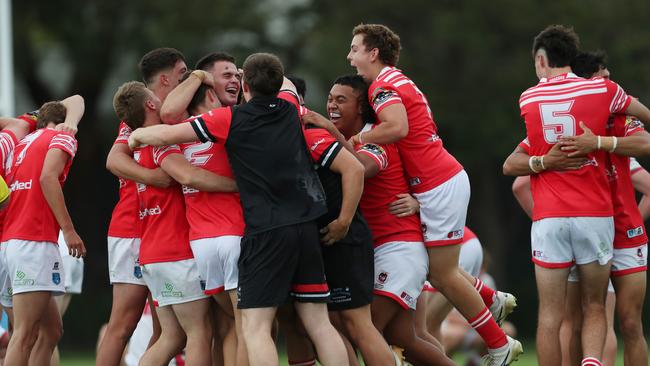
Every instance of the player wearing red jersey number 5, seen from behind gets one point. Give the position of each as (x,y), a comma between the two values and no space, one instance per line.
(551,110)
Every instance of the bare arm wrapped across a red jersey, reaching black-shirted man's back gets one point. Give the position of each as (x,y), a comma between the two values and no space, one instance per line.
(184,173)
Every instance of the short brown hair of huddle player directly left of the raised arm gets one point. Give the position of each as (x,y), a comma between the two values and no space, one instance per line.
(128,103)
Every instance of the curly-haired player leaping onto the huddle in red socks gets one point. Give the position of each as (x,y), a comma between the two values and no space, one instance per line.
(435,178)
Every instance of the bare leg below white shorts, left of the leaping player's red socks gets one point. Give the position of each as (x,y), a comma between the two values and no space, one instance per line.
(385,313)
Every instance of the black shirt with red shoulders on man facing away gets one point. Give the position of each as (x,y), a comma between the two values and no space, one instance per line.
(273,170)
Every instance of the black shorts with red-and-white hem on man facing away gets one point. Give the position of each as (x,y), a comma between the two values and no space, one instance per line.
(279,263)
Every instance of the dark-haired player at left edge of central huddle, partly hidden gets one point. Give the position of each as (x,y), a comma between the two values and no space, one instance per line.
(161,70)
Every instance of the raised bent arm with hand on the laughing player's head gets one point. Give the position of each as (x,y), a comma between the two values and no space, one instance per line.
(174,108)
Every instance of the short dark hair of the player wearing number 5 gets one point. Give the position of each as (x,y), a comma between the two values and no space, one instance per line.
(560,43)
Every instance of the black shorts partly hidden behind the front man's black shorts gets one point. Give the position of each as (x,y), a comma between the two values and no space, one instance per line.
(350,273)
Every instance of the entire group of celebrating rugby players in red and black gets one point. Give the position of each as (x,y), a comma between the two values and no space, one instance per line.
(346,232)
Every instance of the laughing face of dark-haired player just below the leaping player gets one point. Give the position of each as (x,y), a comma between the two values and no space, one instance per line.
(344,109)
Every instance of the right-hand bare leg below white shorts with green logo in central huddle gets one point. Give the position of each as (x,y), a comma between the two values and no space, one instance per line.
(194,318)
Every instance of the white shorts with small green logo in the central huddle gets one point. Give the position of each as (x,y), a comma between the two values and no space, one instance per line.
(173,283)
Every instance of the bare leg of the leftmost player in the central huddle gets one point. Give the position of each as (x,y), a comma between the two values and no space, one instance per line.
(128,302)
